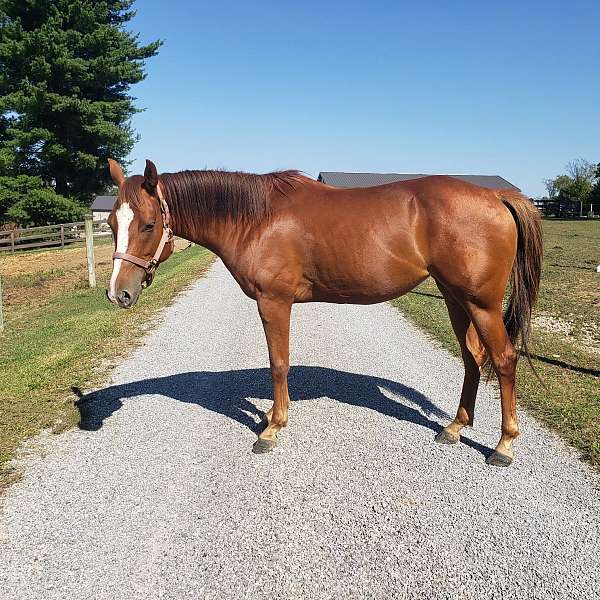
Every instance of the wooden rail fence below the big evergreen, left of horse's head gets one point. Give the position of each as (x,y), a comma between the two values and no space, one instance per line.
(48,236)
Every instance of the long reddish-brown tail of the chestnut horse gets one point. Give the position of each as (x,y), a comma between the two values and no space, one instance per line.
(526,272)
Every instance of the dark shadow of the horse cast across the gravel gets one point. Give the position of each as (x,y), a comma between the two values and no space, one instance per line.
(227,393)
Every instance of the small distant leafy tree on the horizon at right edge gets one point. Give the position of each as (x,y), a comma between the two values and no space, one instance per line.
(580,184)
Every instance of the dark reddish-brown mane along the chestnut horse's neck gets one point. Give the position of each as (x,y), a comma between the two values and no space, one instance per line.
(225,194)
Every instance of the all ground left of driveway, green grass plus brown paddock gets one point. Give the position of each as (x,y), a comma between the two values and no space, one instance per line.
(61,334)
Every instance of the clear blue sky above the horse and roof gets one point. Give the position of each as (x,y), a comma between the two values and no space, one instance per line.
(509,88)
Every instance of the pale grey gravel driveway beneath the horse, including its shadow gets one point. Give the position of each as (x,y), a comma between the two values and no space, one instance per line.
(159,496)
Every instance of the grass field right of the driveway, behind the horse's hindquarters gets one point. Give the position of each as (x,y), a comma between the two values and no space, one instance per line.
(566,334)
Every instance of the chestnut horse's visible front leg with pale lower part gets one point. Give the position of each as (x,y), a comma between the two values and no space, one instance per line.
(275,315)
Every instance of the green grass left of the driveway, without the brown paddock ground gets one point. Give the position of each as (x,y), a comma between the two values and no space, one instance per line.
(68,342)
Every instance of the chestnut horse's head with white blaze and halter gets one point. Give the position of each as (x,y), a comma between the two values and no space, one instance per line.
(141,230)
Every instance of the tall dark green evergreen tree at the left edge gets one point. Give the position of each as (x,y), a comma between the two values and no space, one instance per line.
(66,68)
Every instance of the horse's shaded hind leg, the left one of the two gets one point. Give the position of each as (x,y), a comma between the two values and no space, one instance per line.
(472,361)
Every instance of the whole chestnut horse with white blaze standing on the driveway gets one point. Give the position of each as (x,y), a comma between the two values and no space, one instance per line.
(286,238)
